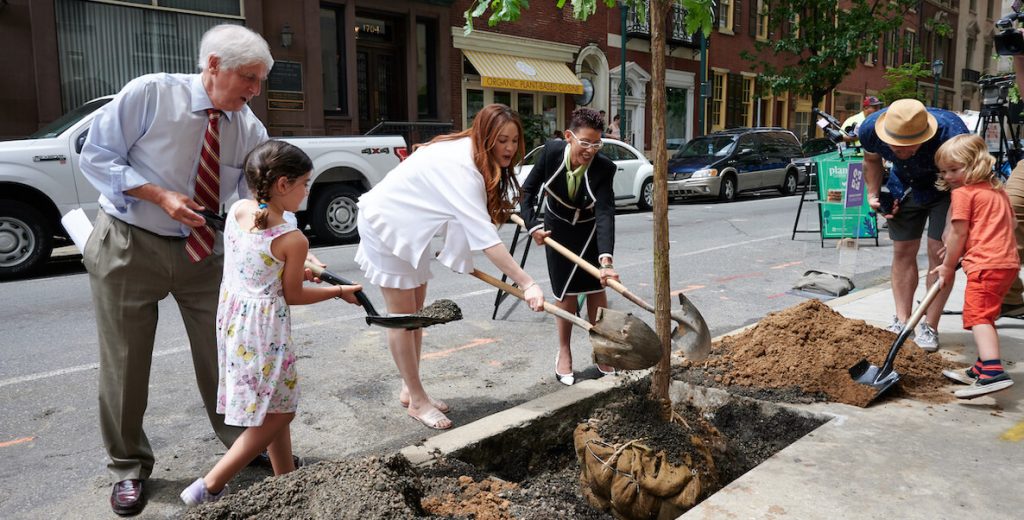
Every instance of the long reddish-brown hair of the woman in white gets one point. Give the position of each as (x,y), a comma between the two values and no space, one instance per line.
(503,190)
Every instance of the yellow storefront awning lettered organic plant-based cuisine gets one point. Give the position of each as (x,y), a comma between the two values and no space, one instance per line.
(515,73)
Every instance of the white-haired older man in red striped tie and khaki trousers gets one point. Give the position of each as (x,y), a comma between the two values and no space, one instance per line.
(166,148)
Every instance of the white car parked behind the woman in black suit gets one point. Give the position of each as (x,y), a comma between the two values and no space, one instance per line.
(634,177)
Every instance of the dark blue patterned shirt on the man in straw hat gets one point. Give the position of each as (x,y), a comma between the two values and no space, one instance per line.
(920,171)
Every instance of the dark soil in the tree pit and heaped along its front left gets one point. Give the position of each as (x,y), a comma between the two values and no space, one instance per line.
(544,485)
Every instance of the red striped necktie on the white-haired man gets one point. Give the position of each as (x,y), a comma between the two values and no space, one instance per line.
(200,243)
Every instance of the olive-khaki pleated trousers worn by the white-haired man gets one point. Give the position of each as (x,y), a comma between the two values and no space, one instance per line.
(132,271)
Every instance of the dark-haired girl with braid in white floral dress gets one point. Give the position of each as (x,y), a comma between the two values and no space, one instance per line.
(264,275)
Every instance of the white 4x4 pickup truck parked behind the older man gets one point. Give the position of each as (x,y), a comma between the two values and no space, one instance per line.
(40,182)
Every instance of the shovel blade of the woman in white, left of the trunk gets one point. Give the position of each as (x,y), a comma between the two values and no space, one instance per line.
(624,341)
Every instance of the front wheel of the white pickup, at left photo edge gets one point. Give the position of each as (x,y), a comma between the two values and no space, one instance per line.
(26,239)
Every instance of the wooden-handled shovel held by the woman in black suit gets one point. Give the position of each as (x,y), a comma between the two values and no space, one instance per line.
(695,339)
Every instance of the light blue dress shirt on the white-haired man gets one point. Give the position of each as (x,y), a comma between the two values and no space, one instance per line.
(153,134)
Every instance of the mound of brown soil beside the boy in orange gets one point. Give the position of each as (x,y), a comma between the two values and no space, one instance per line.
(802,355)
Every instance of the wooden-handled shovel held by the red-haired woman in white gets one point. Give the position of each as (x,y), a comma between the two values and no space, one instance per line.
(620,340)
